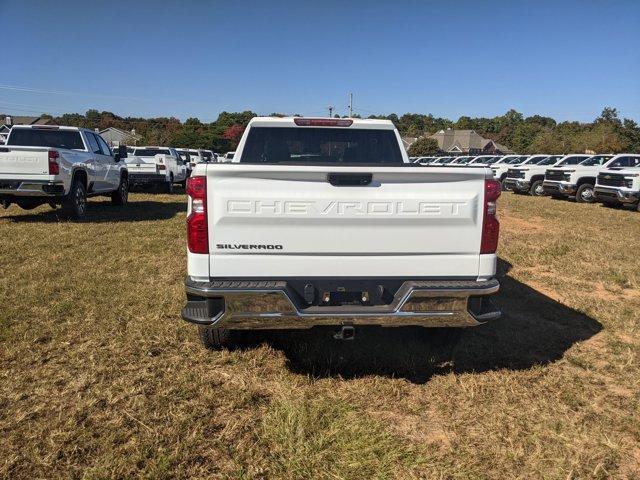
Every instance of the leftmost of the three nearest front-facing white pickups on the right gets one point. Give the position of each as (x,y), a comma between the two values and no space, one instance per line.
(529,177)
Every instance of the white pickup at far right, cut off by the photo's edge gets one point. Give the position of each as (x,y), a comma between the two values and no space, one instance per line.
(619,183)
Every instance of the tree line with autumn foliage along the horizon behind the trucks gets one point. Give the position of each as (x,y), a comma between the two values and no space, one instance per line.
(606,134)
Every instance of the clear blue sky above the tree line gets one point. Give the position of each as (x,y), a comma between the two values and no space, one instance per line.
(565,59)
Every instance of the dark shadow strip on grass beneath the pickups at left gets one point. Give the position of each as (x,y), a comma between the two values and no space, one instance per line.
(103,211)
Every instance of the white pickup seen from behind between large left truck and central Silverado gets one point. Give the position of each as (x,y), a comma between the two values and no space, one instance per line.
(156,166)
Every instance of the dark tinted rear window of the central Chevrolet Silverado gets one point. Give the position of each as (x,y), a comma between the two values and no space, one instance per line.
(273,145)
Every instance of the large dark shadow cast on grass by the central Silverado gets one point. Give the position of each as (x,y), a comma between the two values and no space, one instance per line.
(533,330)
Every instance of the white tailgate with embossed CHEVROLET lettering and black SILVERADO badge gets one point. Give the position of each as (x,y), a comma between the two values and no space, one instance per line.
(283,220)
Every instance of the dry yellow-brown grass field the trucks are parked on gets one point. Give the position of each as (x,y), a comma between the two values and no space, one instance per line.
(100,378)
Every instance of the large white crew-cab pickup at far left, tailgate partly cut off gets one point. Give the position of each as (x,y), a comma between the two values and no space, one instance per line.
(55,165)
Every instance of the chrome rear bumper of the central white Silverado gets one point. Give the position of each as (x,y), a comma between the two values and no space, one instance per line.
(270,305)
